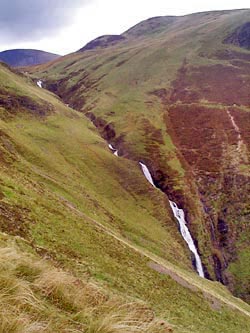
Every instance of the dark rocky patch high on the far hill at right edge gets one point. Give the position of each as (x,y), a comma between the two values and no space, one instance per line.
(240,37)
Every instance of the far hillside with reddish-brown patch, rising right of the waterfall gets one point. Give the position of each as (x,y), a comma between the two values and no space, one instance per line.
(175,94)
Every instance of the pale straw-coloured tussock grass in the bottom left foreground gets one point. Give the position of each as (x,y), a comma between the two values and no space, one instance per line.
(37,297)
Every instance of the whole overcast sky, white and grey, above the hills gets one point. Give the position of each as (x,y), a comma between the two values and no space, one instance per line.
(64,26)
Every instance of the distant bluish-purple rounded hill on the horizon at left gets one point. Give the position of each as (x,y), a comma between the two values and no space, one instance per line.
(26,57)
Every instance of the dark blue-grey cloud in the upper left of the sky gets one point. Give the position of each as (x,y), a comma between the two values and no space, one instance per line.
(27,20)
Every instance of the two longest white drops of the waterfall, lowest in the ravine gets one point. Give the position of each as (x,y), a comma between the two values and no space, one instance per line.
(180,216)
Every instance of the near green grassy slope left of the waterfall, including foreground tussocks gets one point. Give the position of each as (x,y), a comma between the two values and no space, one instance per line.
(96,217)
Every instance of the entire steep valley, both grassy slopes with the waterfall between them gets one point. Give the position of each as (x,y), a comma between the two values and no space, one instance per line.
(125,166)
